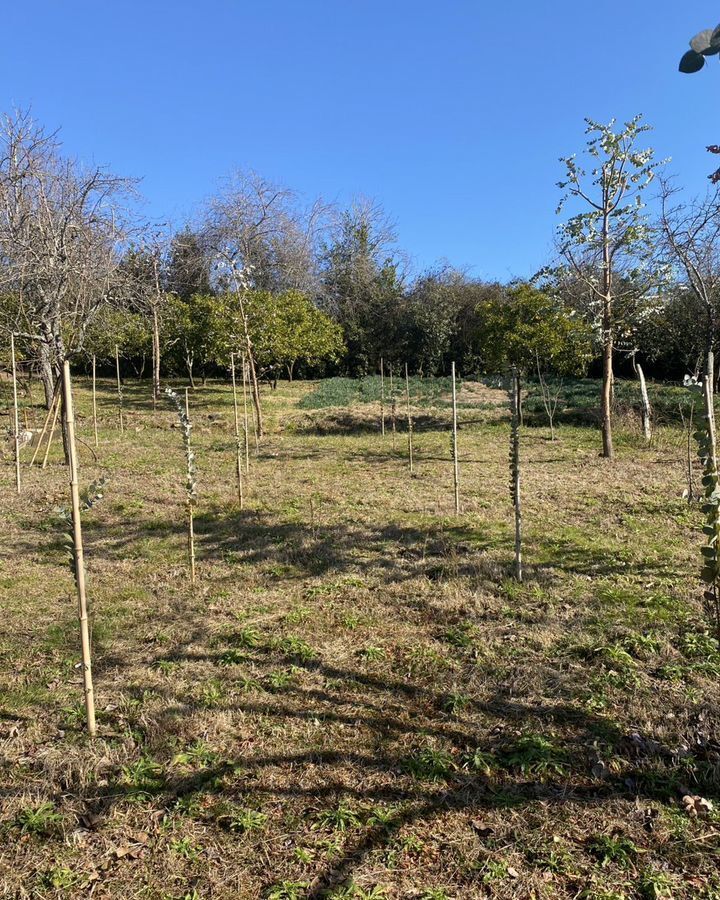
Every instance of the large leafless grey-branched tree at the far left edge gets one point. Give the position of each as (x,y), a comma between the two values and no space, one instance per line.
(60,231)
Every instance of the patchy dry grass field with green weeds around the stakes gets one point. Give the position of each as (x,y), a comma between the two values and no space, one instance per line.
(357,700)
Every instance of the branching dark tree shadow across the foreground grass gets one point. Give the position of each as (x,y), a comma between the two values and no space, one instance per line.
(496,754)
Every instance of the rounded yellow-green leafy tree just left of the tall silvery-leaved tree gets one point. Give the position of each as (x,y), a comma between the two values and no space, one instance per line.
(526,325)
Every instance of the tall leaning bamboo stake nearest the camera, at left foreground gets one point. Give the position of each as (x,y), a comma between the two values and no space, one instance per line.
(78,553)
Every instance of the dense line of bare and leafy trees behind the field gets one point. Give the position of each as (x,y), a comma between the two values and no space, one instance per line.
(310,290)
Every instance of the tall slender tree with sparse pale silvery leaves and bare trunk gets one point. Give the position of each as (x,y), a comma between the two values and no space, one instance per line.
(607,244)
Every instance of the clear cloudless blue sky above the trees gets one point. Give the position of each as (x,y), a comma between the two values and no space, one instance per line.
(451,114)
